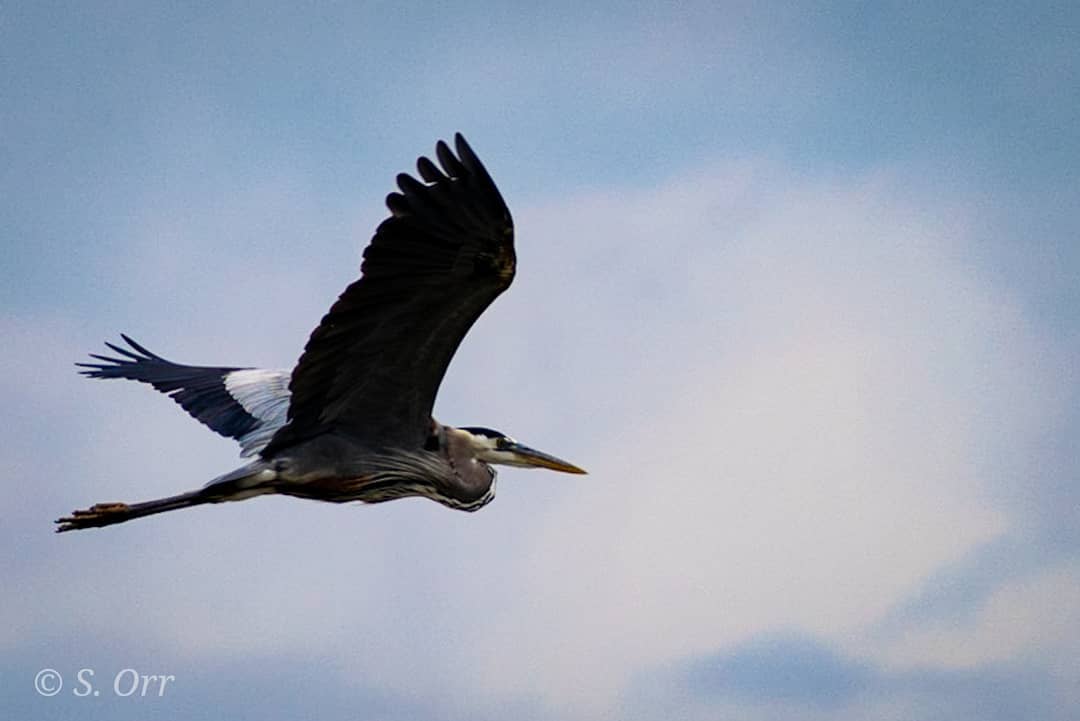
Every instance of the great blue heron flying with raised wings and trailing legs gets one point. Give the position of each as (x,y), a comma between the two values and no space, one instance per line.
(353,421)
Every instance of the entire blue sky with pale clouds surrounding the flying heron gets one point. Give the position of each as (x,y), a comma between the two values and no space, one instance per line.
(799,284)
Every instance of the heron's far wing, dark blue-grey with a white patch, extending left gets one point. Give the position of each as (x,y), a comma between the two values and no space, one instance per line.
(247,404)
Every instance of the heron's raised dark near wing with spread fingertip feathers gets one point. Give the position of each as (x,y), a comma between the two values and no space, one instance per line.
(372,369)
